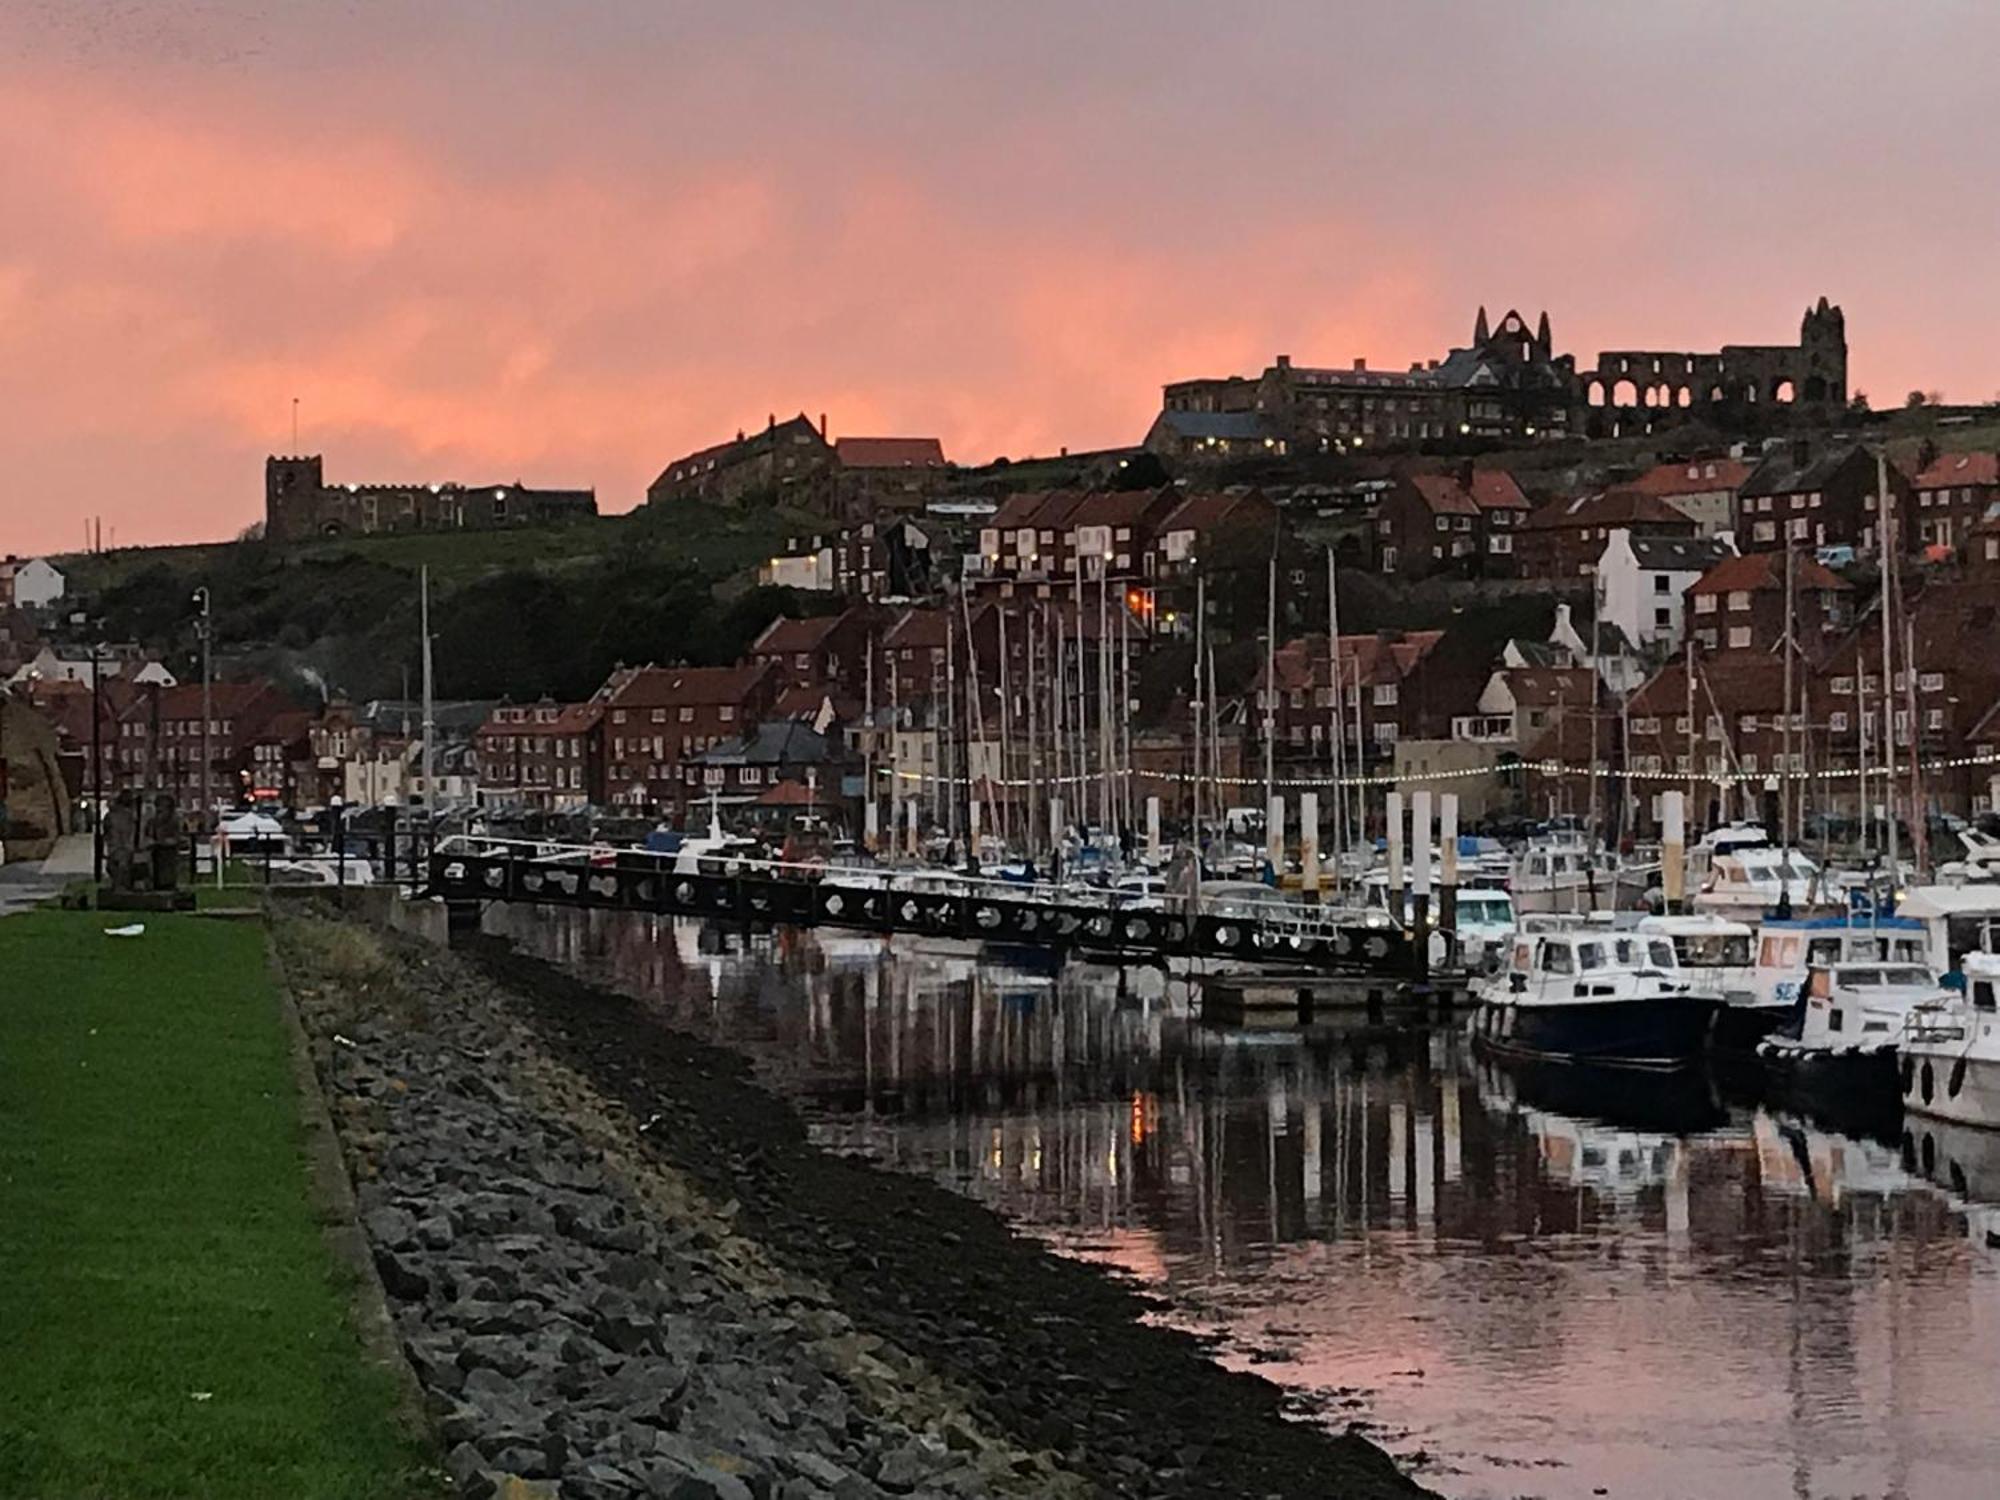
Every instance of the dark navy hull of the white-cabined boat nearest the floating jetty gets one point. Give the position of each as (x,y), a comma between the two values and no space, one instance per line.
(1655,1033)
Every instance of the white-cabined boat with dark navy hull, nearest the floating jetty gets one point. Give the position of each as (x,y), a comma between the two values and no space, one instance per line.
(1599,997)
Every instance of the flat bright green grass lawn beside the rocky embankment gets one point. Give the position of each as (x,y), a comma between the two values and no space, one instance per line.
(171,1319)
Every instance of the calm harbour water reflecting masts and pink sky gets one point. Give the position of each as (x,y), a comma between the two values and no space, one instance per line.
(1519,1285)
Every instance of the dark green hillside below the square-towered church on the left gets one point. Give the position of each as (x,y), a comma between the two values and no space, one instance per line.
(515,613)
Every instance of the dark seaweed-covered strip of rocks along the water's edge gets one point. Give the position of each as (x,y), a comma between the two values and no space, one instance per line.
(1059,1353)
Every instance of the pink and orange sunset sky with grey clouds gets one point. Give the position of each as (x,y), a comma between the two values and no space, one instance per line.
(571,241)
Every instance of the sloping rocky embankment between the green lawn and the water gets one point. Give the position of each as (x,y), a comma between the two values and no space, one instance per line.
(619,1269)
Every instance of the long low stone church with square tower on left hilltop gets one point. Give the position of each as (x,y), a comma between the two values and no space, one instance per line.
(299,503)
